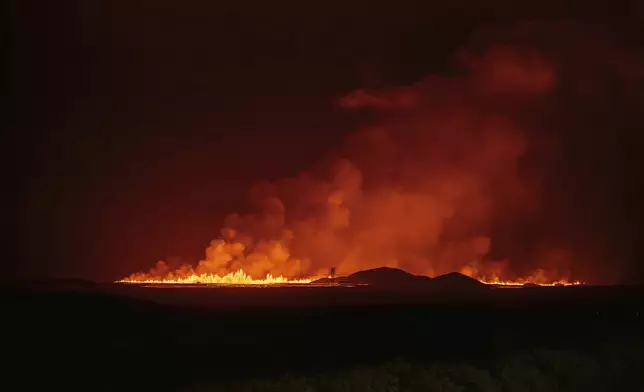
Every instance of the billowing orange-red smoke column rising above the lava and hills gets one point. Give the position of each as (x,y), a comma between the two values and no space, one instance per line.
(454,174)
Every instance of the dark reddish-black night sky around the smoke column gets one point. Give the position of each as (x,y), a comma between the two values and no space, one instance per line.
(140,124)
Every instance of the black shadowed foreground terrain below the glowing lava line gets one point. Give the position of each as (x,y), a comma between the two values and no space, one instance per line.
(123,337)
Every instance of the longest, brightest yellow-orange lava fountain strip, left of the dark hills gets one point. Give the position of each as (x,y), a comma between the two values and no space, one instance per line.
(233,278)
